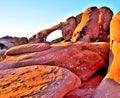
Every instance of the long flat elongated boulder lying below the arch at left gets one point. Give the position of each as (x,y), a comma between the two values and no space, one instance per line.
(27,48)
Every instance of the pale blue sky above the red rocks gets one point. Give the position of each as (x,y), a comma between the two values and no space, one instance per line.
(27,17)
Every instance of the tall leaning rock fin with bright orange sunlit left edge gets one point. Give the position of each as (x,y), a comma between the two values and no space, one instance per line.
(88,25)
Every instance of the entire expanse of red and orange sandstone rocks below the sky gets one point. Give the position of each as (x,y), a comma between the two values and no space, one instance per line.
(31,68)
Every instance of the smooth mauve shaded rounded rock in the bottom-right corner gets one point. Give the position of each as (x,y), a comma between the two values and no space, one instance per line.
(108,88)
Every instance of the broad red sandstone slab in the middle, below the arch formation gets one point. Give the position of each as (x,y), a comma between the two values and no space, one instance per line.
(83,59)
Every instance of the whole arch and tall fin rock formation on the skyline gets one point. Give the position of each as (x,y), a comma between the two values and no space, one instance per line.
(89,26)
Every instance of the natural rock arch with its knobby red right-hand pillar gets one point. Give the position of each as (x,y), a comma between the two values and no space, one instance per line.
(66,27)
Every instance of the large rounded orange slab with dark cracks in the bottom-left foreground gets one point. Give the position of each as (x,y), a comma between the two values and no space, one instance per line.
(37,82)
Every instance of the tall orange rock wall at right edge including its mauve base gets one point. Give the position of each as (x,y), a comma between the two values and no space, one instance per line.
(112,79)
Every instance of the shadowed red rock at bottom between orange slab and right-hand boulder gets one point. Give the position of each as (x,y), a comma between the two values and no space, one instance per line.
(86,89)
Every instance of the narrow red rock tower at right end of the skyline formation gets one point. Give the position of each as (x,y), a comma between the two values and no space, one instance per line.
(104,23)
